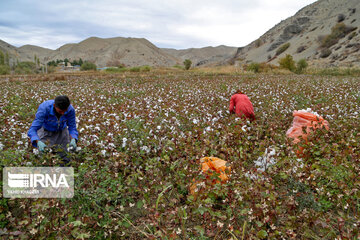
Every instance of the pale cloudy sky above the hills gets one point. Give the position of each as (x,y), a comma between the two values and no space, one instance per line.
(178,24)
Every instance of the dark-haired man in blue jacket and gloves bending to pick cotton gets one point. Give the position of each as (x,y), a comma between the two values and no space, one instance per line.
(55,126)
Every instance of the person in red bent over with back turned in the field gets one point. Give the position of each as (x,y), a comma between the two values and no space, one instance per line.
(241,105)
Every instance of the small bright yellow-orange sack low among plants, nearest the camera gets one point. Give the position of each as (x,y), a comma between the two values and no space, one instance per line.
(215,164)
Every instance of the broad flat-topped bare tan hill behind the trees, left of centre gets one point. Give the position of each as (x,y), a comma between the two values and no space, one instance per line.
(104,52)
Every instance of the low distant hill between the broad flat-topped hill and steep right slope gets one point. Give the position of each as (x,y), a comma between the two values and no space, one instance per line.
(203,56)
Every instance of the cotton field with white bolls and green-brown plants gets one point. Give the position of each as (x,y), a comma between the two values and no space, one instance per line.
(140,141)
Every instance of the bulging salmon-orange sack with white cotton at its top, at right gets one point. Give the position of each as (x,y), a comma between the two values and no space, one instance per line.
(306,119)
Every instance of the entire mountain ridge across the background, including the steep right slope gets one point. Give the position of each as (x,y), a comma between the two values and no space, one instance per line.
(302,34)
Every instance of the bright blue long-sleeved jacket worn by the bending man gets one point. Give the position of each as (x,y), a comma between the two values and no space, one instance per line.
(45,117)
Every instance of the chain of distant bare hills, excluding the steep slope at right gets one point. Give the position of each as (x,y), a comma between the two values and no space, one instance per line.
(127,51)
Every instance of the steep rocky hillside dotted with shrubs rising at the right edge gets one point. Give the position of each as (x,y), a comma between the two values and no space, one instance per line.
(325,33)
